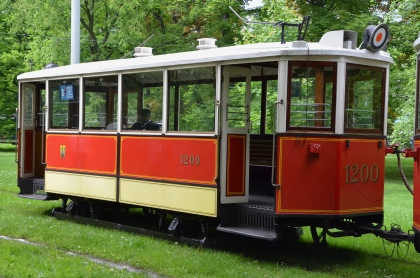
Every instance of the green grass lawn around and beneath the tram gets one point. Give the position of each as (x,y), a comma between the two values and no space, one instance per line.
(343,257)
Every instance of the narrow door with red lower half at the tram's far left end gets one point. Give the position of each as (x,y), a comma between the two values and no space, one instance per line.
(27,141)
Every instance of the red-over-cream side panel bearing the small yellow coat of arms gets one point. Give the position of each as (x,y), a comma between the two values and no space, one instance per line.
(82,165)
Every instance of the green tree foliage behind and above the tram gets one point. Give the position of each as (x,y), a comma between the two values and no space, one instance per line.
(37,32)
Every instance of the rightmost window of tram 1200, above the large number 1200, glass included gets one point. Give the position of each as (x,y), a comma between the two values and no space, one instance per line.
(364,99)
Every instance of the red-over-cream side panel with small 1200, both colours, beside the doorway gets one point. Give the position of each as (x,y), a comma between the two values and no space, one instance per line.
(177,174)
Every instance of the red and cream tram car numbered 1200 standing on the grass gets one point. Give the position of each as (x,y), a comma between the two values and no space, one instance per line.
(258,138)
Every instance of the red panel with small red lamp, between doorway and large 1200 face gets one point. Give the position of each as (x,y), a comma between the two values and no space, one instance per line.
(306,181)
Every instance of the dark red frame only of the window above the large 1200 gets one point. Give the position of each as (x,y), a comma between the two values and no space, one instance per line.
(377,129)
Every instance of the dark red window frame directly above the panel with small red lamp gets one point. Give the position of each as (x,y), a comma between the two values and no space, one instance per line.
(290,88)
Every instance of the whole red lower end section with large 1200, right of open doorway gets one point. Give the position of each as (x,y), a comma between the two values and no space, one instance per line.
(330,177)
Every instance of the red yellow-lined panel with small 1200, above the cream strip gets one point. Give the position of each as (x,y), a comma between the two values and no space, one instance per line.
(182,160)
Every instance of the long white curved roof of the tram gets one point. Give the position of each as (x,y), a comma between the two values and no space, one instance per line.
(239,54)
